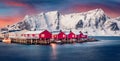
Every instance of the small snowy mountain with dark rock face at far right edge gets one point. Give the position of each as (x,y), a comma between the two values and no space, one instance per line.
(112,26)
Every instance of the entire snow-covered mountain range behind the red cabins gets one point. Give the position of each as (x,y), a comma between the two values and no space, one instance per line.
(94,22)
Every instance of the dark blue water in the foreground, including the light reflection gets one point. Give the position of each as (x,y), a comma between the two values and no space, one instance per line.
(107,49)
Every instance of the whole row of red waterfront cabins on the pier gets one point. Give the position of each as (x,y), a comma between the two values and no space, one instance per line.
(61,35)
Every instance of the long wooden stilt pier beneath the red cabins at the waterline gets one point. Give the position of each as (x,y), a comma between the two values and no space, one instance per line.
(48,42)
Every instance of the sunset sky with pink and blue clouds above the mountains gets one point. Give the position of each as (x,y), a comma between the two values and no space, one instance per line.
(12,11)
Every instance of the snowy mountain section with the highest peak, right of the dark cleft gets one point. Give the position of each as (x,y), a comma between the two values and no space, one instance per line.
(94,19)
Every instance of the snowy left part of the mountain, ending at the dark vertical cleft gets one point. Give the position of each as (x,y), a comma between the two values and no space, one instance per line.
(36,22)
